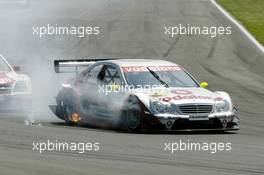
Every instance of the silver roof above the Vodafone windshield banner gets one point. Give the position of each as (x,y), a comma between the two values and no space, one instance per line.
(140,62)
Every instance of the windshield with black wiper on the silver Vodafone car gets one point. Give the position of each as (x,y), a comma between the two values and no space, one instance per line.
(142,77)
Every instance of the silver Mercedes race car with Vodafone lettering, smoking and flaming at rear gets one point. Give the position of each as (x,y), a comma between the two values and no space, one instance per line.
(140,95)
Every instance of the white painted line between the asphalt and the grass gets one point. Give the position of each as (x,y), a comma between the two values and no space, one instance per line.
(241,27)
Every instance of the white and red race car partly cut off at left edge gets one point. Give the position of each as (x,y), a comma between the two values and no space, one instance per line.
(15,88)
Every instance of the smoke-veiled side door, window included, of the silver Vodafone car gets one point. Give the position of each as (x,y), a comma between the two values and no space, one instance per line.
(96,99)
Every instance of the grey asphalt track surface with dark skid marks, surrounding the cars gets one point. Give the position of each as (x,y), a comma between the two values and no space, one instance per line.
(131,29)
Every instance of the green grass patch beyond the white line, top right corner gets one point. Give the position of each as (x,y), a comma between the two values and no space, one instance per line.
(250,13)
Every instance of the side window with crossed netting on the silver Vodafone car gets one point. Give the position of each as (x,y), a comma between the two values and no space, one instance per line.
(110,75)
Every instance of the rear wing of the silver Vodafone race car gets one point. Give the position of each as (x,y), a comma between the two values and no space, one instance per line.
(71,66)
